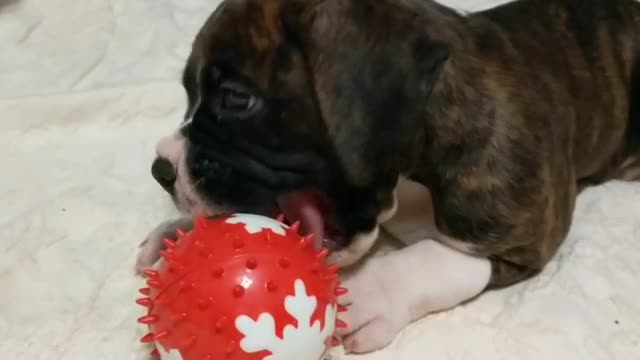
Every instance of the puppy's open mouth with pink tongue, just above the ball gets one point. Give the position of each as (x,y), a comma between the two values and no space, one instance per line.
(312,209)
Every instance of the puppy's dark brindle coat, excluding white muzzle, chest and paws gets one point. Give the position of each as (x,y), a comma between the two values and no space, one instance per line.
(505,115)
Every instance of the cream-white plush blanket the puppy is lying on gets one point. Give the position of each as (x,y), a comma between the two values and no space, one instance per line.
(88,86)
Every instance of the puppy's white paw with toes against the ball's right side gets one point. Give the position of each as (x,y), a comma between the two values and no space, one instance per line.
(376,311)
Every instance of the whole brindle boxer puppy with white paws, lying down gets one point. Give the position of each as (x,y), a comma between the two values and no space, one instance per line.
(467,138)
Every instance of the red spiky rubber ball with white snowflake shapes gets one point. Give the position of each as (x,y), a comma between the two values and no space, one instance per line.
(242,287)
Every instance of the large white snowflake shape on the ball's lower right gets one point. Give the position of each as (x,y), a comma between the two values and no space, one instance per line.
(307,341)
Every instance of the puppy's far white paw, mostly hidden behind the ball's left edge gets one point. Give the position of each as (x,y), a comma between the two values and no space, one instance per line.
(150,248)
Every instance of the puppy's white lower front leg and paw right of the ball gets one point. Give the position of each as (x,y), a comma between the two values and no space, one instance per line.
(390,292)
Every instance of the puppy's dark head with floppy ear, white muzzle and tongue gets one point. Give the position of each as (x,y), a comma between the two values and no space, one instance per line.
(305,107)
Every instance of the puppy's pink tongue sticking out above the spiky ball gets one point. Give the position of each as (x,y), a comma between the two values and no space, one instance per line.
(303,206)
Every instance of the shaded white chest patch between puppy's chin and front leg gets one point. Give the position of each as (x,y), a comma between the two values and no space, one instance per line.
(413,220)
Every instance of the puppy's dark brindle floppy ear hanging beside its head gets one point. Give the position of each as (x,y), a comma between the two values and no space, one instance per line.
(374,65)
